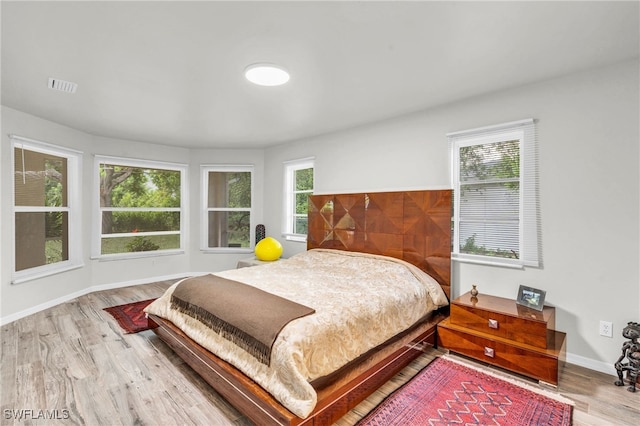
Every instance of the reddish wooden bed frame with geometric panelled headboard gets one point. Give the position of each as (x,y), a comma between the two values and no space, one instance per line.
(414,226)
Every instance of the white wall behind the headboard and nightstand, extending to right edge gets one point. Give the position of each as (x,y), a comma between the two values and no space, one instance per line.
(588,128)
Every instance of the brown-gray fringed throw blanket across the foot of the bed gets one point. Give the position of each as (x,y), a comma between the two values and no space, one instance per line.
(249,317)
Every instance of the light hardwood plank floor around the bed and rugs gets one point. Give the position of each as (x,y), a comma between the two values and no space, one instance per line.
(73,363)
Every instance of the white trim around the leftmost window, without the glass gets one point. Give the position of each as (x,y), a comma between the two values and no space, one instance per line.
(72,209)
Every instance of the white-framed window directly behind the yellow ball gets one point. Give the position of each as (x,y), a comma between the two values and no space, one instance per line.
(227,214)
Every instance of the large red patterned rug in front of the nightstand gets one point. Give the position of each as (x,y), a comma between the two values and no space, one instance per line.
(447,393)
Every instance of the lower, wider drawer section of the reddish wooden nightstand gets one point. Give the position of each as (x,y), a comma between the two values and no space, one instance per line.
(540,364)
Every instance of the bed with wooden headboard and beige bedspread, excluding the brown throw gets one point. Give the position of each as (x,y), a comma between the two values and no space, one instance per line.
(404,238)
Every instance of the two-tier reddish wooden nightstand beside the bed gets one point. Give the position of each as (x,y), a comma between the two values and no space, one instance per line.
(500,332)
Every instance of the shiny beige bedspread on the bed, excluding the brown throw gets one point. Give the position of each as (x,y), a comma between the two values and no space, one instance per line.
(360,300)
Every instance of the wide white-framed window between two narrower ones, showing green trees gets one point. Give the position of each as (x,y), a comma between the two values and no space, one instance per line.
(141,207)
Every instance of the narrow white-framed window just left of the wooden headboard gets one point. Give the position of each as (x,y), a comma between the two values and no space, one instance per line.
(298,186)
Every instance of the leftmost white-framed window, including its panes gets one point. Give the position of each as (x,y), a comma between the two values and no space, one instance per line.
(46,209)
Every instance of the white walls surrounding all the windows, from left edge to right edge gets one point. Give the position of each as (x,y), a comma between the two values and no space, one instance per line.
(588,126)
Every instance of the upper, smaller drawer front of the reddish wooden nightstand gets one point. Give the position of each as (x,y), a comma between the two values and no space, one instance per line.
(497,324)
